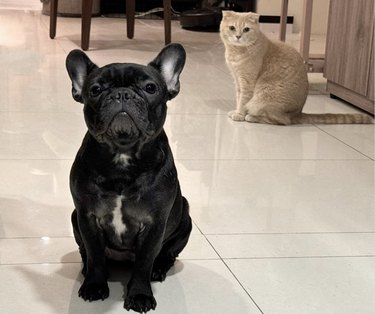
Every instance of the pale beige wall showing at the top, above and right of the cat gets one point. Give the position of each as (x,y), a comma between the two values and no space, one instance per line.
(295,8)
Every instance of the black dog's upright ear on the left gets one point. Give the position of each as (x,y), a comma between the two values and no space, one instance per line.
(78,66)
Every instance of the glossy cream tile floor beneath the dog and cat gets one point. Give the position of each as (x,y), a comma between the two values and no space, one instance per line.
(284,216)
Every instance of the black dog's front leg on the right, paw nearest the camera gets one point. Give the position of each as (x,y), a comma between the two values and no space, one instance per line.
(140,297)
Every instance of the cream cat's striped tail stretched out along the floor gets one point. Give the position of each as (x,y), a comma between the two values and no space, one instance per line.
(333,118)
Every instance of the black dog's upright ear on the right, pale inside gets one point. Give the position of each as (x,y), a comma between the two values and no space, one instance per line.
(170,62)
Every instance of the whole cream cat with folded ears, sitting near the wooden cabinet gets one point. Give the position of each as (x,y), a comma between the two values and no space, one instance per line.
(270,77)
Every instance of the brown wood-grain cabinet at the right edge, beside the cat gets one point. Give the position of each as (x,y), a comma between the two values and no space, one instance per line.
(349,59)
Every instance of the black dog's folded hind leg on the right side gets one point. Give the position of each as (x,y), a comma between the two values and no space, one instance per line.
(172,247)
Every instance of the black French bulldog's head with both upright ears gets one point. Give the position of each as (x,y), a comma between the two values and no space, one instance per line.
(125,103)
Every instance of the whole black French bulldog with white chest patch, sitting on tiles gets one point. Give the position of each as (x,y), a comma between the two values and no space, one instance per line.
(128,203)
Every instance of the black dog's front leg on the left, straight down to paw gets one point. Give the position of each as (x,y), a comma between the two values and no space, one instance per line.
(95,285)
